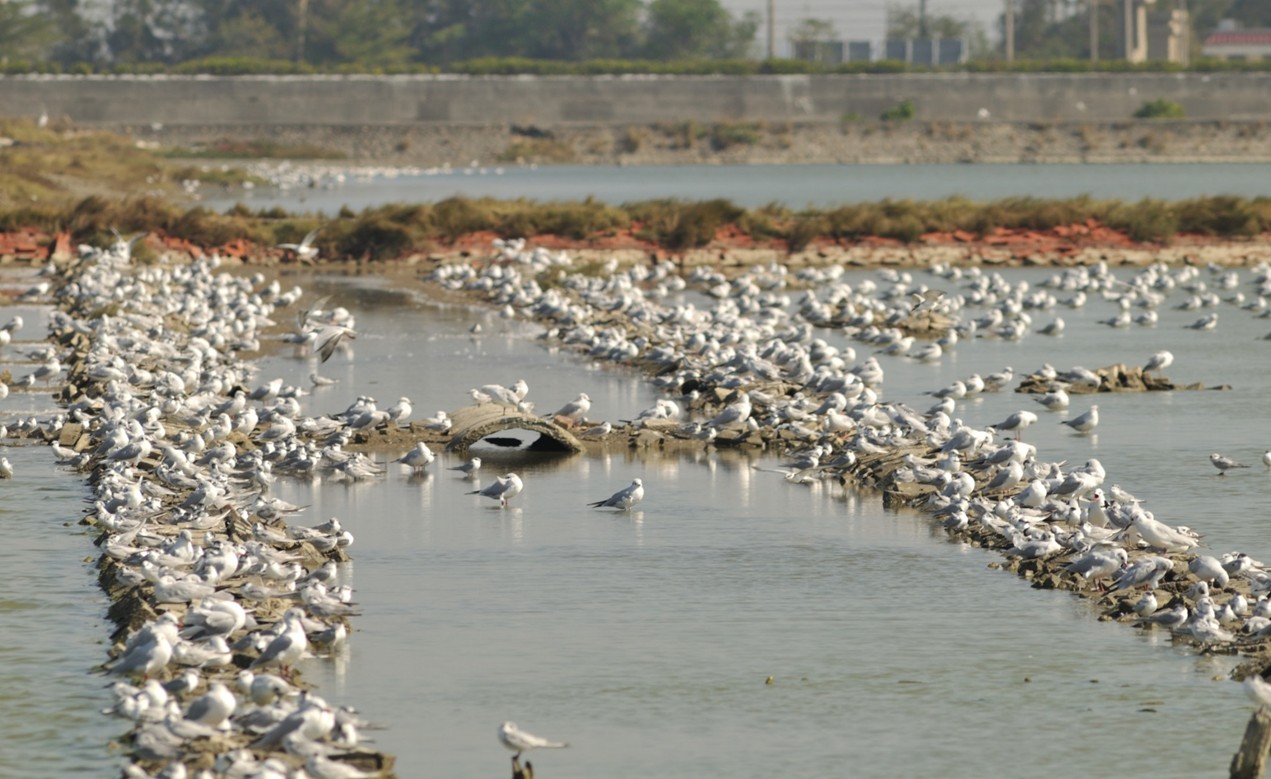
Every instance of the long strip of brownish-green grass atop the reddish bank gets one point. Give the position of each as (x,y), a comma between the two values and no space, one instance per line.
(398,231)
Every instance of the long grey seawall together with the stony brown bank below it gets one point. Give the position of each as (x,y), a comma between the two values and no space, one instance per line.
(458,121)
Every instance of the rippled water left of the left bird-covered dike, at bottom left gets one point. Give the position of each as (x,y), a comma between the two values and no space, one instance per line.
(53,628)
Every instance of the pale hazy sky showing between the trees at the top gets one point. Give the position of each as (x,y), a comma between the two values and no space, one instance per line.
(860,20)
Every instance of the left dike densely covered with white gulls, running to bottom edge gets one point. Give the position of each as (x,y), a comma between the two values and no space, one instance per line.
(215,597)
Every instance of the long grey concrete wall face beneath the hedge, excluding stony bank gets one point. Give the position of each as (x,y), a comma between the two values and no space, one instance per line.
(401,101)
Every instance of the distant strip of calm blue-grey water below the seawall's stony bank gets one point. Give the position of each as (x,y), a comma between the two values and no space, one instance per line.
(796,186)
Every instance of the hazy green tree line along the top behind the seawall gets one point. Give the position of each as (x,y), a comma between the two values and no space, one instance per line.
(414,35)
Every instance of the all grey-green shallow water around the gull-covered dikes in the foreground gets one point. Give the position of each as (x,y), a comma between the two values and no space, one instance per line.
(646,639)
